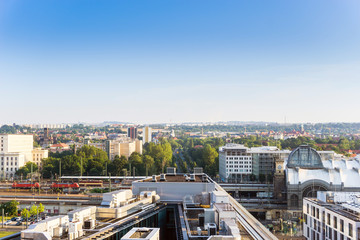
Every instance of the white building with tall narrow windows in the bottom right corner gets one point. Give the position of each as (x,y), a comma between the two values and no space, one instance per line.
(332,215)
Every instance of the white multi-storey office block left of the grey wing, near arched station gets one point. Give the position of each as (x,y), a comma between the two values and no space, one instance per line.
(235,163)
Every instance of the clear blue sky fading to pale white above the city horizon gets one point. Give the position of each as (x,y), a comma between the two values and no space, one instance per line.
(66,61)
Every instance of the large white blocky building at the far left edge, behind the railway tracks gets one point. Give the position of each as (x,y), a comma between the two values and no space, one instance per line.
(15,151)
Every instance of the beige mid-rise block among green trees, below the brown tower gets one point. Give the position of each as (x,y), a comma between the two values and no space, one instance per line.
(122,148)
